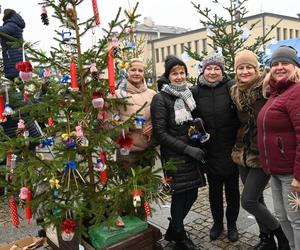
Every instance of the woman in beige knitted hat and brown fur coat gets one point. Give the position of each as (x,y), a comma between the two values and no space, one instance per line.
(248,98)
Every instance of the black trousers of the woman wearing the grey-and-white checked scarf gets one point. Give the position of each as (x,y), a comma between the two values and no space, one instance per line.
(180,206)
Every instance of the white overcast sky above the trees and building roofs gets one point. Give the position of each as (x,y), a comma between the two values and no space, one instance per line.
(179,13)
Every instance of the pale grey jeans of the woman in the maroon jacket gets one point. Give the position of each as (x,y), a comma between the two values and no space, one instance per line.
(289,218)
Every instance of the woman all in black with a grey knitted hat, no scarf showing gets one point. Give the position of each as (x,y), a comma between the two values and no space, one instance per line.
(214,105)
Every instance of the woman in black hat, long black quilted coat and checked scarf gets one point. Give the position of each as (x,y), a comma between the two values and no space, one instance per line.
(171,120)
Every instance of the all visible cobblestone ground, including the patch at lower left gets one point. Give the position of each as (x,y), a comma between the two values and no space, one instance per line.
(198,223)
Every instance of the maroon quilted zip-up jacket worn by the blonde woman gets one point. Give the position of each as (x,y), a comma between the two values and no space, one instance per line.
(278,125)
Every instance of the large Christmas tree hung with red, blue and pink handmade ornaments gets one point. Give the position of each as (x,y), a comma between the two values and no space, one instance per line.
(72,180)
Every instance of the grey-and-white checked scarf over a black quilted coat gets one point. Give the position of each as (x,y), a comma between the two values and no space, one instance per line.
(184,102)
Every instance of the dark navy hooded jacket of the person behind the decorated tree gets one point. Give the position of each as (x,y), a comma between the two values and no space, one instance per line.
(11,54)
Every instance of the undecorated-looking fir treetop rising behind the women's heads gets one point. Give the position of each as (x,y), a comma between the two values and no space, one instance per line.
(228,34)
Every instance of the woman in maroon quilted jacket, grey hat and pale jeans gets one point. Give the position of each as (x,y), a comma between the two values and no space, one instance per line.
(278,125)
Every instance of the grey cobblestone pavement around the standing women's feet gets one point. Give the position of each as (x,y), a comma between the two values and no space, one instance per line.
(199,222)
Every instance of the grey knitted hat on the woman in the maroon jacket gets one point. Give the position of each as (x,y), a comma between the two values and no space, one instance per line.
(285,54)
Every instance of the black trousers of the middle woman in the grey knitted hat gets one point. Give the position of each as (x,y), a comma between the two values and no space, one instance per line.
(232,195)
